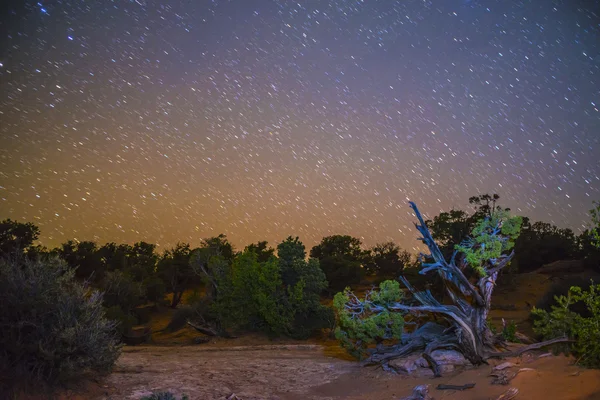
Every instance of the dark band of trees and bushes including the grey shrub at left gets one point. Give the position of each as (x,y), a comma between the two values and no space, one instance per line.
(65,309)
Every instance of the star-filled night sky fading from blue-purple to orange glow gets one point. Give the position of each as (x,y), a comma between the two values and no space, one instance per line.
(181,119)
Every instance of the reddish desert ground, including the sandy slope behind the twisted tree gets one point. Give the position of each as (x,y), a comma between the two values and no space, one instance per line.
(252,367)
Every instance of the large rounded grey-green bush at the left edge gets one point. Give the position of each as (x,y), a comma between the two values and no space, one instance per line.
(51,327)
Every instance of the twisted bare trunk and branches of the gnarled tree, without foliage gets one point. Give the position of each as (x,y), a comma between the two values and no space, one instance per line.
(463,326)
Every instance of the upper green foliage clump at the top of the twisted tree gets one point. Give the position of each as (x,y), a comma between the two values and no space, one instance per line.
(491,237)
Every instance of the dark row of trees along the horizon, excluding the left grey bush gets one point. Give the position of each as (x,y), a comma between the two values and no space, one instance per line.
(260,279)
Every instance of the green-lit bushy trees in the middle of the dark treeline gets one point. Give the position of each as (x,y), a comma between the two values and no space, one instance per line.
(249,294)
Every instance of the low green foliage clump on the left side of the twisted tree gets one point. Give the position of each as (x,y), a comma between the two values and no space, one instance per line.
(375,322)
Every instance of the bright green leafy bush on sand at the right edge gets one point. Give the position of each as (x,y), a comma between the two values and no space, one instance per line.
(583,330)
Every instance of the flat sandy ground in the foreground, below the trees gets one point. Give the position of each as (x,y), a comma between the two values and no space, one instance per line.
(305,372)
